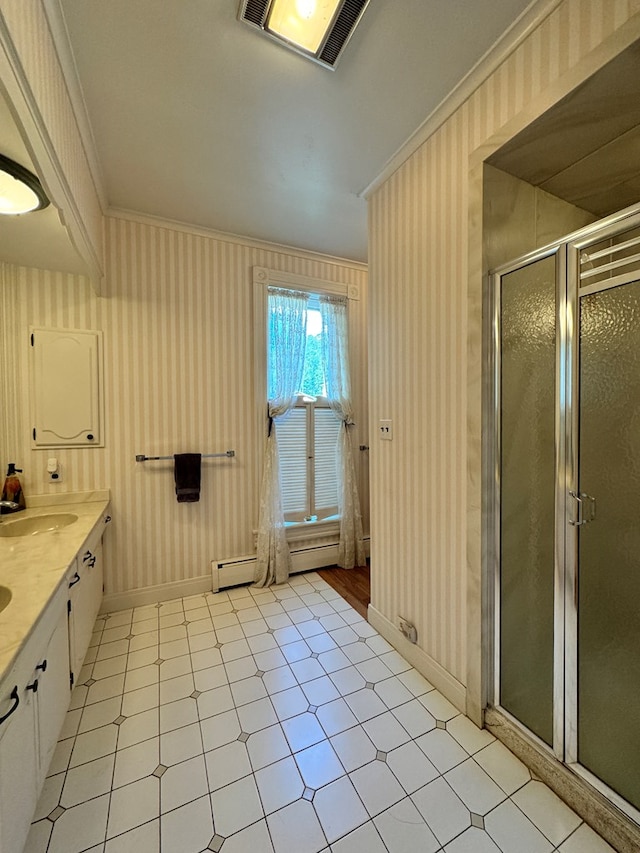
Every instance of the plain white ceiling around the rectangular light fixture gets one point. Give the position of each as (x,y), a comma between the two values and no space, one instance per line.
(195,117)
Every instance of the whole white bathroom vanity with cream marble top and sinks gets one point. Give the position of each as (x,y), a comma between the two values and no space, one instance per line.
(51,583)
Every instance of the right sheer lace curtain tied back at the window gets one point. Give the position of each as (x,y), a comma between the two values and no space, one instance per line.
(335,356)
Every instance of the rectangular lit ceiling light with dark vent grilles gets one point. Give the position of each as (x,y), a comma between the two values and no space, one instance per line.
(318,29)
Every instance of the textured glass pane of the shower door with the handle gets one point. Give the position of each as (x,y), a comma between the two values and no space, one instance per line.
(609,561)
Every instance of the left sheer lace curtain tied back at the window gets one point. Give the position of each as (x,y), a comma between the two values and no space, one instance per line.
(287,318)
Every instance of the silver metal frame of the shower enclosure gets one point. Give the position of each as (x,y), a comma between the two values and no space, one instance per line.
(566,539)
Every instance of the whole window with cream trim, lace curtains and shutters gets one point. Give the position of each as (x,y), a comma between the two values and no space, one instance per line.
(286,309)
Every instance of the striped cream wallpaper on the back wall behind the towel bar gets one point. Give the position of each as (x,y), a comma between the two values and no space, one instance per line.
(179,376)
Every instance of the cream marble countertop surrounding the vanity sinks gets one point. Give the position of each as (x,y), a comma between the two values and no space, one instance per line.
(33,567)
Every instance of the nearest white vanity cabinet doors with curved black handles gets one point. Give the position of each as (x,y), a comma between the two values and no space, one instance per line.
(34,698)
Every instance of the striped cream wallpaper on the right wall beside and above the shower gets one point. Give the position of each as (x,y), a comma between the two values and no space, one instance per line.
(425,339)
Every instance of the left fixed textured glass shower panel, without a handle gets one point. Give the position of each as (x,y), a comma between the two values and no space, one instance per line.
(527,493)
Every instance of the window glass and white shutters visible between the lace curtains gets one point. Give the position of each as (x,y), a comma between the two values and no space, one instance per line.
(308,437)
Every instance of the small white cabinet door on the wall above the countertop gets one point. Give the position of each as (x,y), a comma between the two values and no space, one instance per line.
(66,388)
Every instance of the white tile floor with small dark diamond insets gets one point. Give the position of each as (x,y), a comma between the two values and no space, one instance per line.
(279,721)
